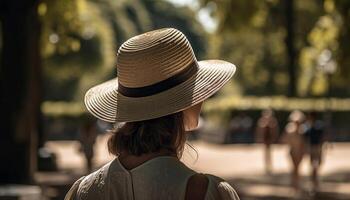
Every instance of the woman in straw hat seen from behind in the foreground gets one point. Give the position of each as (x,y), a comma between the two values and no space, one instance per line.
(160,99)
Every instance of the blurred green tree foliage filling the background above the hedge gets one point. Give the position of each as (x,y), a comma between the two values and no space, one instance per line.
(80,39)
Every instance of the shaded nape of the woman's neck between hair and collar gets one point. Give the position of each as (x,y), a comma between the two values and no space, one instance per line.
(130,161)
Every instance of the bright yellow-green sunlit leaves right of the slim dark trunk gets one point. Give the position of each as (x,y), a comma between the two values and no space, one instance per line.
(323,36)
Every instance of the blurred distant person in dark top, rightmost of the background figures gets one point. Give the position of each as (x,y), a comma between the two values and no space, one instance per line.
(315,137)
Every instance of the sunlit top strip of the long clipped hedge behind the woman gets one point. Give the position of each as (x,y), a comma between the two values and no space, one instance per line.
(221,107)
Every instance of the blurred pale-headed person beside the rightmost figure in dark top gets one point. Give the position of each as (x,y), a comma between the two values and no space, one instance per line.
(294,136)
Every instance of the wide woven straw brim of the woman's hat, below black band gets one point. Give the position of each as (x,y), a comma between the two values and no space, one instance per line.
(104,102)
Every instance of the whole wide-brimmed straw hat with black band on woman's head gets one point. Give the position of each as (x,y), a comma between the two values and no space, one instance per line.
(158,74)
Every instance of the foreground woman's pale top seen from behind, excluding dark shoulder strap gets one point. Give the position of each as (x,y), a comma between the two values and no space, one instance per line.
(162,177)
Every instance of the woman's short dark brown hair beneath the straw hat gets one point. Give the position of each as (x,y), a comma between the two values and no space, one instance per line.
(149,136)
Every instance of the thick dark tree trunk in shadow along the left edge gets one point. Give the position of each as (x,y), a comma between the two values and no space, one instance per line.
(20,89)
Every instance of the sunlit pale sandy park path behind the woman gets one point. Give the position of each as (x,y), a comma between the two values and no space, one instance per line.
(240,164)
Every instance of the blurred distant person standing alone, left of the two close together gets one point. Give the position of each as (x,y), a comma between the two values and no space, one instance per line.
(267,132)
